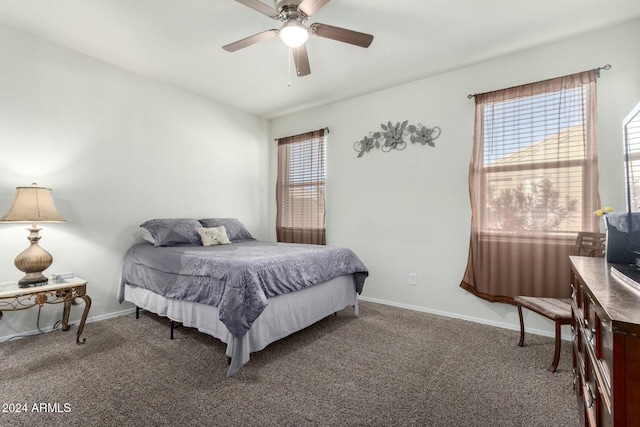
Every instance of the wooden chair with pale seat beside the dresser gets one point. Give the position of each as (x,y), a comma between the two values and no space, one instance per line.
(559,309)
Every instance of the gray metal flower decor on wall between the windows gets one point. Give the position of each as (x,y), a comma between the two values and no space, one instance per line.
(395,137)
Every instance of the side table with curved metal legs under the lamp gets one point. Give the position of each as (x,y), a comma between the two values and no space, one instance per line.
(13,298)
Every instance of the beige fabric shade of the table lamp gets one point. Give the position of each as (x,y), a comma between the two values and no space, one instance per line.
(32,204)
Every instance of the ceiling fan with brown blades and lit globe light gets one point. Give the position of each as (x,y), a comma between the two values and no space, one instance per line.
(294,33)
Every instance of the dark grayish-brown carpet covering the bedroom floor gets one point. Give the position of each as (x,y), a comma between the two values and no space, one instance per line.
(387,367)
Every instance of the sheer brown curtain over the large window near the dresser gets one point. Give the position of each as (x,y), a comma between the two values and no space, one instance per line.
(533,183)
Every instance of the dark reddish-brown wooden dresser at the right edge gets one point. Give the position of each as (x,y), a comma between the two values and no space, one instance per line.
(605,330)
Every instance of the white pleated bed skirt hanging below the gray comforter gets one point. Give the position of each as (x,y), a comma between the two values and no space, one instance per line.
(284,315)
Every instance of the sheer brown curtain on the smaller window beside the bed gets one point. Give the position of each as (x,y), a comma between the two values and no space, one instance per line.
(300,189)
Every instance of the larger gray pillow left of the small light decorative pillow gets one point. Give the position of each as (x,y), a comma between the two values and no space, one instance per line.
(173,232)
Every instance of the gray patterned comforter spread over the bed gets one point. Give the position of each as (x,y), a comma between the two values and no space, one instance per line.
(237,278)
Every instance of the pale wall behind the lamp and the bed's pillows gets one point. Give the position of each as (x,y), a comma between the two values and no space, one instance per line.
(117,149)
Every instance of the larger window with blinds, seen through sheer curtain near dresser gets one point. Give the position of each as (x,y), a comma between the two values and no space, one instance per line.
(536,158)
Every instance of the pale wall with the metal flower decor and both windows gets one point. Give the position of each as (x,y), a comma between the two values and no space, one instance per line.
(408,211)
